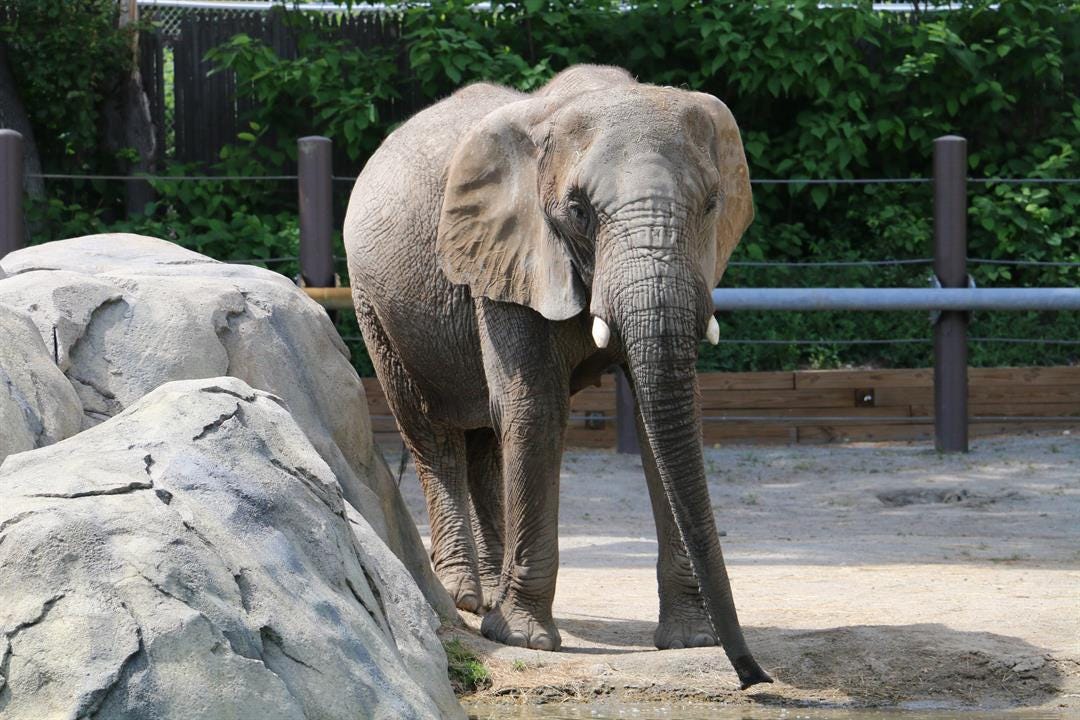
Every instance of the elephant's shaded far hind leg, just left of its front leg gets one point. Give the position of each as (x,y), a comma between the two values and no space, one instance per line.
(485,491)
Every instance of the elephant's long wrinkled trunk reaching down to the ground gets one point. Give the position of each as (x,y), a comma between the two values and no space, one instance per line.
(660,323)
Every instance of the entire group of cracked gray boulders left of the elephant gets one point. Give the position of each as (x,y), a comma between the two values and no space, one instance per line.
(195,522)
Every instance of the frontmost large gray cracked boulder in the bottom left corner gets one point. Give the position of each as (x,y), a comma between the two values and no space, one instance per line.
(194,558)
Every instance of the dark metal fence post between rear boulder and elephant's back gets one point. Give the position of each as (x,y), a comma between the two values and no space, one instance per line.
(315,173)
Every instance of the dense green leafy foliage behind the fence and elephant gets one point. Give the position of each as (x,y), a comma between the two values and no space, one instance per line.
(818,91)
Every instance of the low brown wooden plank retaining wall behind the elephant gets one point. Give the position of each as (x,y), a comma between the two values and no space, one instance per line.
(805,406)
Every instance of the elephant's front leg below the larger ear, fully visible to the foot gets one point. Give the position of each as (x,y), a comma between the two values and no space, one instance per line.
(530,397)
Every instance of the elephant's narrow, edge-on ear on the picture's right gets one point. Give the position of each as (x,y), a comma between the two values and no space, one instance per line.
(736,208)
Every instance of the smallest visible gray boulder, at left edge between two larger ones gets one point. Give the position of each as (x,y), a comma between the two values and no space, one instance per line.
(38,405)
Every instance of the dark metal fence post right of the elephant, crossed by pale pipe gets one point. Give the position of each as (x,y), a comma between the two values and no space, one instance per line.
(951,267)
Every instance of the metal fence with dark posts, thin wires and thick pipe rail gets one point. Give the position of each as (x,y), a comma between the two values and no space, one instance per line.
(951,301)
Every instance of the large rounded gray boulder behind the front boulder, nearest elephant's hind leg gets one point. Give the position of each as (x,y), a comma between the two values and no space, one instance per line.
(127,314)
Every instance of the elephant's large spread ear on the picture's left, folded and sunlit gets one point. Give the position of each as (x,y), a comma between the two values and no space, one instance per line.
(493,233)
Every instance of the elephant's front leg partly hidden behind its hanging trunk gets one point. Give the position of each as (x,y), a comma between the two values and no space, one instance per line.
(684,622)
